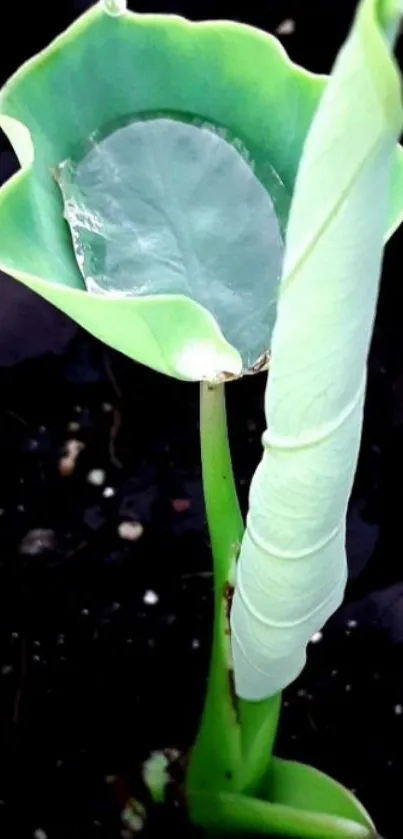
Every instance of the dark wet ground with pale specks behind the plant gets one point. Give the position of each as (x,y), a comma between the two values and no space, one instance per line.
(92,677)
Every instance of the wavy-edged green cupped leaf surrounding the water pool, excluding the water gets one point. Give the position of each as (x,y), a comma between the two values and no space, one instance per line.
(222,73)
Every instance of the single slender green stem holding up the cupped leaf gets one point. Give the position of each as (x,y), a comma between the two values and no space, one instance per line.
(216,757)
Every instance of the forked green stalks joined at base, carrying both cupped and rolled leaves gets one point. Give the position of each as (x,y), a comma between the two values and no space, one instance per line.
(235,739)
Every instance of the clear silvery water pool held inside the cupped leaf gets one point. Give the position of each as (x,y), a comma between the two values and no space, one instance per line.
(169,205)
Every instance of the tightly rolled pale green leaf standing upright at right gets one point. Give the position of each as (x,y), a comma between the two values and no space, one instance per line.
(292,567)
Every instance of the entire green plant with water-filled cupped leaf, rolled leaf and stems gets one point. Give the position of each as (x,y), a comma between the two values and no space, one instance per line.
(299,155)
